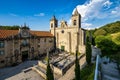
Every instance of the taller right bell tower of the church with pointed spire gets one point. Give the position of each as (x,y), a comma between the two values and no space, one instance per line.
(76,19)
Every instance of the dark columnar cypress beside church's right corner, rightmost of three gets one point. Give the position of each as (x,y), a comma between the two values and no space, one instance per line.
(88,51)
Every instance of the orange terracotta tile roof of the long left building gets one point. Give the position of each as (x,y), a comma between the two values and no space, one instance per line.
(8,33)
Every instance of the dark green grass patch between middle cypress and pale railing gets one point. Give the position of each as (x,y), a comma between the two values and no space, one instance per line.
(87,73)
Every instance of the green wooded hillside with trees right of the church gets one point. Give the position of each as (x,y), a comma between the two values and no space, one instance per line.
(107,38)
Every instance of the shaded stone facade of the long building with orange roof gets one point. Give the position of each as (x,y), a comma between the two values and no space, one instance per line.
(40,48)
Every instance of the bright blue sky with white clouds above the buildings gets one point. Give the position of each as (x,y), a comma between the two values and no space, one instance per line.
(37,13)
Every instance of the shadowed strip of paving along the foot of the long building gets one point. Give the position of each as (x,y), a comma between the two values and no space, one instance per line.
(11,71)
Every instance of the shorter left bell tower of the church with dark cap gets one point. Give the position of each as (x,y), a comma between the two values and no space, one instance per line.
(53,24)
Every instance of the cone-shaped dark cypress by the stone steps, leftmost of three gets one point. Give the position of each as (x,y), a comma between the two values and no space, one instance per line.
(49,73)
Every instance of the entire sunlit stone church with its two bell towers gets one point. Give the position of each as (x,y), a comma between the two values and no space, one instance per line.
(69,37)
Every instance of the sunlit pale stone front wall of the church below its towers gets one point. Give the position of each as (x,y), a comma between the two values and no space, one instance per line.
(69,38)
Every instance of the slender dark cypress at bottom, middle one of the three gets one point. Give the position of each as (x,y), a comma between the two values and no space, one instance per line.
(77,67)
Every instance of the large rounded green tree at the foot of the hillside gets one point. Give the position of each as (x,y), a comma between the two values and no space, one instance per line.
(106,44)
